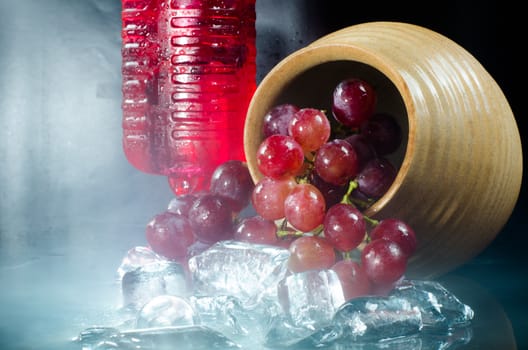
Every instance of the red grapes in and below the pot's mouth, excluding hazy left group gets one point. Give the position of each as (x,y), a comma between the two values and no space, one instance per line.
(319,176)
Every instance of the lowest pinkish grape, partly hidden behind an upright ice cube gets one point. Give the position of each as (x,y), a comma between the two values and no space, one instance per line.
(353,278)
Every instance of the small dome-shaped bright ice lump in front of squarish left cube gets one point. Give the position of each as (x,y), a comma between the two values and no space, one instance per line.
(166,310)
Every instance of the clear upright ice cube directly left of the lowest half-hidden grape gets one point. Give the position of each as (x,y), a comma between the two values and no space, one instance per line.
(311,298)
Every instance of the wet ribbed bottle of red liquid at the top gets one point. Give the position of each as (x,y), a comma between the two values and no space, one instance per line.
(188,70)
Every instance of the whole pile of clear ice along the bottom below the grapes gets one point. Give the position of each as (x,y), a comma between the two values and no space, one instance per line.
(240,295)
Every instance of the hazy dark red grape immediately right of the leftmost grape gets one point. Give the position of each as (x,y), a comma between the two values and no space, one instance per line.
(211,218)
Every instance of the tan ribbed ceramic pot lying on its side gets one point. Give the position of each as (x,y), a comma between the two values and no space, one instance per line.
(460,165)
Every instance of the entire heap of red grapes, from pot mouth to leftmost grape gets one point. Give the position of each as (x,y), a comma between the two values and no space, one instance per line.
(319,174)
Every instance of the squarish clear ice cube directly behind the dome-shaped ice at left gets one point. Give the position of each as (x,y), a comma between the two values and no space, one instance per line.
(140,285)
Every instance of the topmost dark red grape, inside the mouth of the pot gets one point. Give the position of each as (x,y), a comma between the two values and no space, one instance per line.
(353,102)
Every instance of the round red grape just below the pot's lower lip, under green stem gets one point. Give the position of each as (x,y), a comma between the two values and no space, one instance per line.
(344,227)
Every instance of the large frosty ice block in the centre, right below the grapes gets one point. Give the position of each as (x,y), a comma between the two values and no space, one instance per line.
(246,271)
